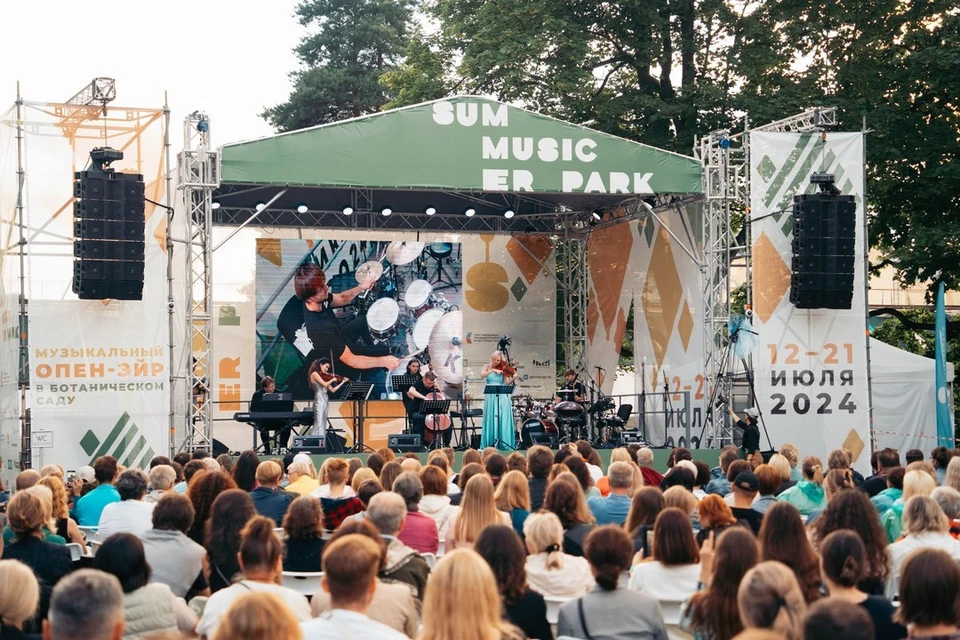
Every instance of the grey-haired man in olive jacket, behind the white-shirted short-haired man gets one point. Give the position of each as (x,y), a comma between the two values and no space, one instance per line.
(387,512)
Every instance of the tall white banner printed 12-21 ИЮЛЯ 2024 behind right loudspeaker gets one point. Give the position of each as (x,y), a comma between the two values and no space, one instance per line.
(811,366)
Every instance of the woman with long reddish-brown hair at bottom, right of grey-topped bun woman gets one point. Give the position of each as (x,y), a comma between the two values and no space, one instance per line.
(724,559)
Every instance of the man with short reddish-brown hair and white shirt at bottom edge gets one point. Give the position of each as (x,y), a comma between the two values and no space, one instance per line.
(350,566)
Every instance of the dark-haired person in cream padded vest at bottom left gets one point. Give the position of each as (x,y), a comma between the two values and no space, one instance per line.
(147,607)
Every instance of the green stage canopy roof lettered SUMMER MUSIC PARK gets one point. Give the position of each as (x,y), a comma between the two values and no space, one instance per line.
(448,155)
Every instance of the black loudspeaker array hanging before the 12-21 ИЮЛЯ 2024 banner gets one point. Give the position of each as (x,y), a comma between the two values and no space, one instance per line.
(824,251)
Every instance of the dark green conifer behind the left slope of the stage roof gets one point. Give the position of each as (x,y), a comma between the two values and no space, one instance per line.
(353,44)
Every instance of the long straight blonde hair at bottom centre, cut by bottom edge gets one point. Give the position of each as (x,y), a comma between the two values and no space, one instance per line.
(462,576)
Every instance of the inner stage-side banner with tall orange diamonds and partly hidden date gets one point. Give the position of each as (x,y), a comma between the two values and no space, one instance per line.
(668,327)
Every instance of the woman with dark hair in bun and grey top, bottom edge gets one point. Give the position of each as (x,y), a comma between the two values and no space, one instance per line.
(610,611)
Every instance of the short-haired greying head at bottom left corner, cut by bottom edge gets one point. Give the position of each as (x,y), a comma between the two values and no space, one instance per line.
(85,605)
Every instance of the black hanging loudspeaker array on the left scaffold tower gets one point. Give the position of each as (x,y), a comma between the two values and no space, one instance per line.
(108,229)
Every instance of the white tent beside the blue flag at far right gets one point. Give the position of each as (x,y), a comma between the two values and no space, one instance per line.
(903,390)
